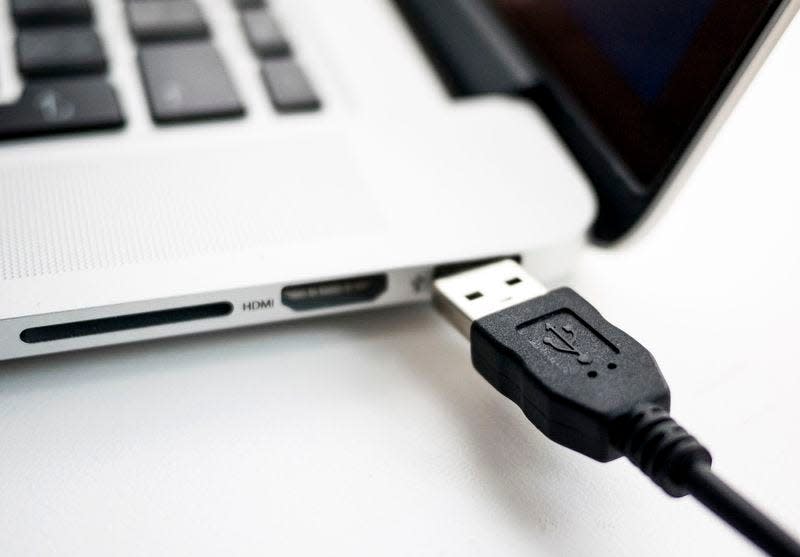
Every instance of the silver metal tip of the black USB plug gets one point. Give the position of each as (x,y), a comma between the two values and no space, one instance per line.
(471,295)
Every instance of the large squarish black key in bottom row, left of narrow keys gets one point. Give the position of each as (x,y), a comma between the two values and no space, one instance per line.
(187,81)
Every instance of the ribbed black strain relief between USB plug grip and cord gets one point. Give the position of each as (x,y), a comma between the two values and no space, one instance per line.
(660,447)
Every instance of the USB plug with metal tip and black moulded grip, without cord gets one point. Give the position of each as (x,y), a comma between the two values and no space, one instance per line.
(572,373)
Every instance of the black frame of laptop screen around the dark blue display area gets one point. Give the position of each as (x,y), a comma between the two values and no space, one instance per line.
(630,148)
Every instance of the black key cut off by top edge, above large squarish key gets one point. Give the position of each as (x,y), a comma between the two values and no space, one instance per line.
(160,20)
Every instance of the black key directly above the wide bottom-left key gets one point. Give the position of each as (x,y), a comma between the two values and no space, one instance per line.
(59,51)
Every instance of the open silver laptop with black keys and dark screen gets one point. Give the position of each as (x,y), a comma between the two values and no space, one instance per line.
(170,167)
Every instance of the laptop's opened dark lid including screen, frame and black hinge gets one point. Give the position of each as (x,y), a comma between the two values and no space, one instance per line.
(635,87)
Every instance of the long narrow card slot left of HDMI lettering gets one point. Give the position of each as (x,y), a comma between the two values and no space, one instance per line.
(90,327)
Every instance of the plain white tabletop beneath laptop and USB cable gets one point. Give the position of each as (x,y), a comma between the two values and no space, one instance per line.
(370,434)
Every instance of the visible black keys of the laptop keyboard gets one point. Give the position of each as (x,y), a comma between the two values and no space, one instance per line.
(63,64)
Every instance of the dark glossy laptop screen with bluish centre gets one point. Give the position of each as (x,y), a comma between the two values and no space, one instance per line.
(645,72)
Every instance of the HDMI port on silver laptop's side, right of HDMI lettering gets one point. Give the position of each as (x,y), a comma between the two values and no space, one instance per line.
(318,295)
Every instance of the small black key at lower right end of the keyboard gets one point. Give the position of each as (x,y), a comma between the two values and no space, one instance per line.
(289,89)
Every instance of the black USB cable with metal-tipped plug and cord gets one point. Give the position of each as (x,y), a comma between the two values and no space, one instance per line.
(588,386)
